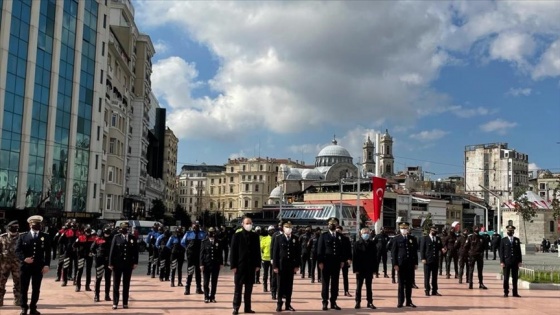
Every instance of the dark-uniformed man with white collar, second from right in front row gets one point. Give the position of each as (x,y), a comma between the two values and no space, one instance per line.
(430,252)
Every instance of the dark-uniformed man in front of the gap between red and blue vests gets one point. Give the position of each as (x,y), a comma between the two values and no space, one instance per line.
(123,258)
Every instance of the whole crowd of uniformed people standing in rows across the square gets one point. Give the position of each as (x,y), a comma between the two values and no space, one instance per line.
(271,256)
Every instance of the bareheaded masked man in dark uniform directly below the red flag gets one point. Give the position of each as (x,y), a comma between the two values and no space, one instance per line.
(365,254)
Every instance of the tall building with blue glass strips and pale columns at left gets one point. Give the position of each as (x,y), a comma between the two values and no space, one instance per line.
(51,73)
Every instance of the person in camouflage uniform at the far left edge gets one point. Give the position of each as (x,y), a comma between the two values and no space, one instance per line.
(9,263)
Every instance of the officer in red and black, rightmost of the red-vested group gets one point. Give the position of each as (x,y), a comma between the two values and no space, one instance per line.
(100,250)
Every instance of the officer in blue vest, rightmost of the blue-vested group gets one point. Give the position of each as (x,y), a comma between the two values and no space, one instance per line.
(191,242)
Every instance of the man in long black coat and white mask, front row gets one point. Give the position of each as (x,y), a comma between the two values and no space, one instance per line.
(245,255)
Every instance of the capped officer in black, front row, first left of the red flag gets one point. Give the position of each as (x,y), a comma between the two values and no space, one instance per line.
(331,258)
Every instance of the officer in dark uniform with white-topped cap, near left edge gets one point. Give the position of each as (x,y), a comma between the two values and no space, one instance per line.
(34,252)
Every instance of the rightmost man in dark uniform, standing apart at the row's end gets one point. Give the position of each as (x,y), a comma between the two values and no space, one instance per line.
(510,259)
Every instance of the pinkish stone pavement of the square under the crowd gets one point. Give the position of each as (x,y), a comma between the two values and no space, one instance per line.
(150,296)
